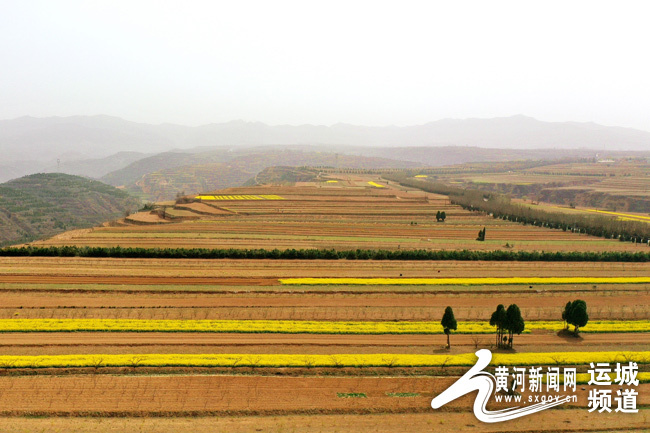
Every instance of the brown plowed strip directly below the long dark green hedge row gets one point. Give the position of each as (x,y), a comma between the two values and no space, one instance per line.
(67,267)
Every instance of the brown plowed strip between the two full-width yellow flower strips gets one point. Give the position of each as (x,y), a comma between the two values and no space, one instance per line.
(88,342)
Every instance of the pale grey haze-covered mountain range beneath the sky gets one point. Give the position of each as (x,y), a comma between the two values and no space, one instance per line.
(95,146)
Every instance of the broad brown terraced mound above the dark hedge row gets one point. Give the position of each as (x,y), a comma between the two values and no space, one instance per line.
(345,216)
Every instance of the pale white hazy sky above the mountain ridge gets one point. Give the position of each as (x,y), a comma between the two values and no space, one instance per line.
(370,63)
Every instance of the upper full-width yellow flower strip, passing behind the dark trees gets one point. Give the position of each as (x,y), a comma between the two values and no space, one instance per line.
(294,327)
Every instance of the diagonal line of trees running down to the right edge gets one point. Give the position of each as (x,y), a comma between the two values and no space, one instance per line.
(500,206)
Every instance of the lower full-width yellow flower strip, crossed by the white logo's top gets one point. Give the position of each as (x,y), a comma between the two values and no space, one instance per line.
(300,360)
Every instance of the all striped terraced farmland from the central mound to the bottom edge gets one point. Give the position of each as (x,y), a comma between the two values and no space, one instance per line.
(294,345)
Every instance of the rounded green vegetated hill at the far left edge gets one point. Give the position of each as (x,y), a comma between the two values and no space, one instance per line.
(42,205)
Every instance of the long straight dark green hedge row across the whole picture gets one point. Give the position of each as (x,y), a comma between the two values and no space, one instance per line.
(316,254)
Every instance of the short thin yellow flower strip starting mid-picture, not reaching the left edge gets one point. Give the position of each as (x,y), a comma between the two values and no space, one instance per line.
(462,281)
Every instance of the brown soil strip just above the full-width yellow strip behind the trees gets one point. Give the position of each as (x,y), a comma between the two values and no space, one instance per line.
(313,306)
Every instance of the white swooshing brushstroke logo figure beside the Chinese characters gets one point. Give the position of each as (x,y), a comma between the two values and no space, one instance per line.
(478,380)
